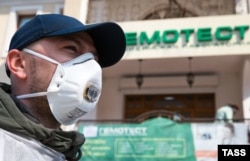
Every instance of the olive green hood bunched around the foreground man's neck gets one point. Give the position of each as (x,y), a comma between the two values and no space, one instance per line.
(14,121)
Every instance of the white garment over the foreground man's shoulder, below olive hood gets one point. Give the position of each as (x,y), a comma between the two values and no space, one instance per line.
(14,147)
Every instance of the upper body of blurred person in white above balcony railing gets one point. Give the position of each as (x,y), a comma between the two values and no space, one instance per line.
(226,113)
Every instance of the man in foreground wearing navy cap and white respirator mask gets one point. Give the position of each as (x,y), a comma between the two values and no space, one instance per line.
(54,64)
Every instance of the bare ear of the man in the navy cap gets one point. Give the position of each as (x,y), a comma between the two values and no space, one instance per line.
(16,63)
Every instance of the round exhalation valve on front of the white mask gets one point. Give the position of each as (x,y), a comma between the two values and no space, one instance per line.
(91,93)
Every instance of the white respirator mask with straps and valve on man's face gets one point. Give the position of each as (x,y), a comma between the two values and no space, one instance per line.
(74,89)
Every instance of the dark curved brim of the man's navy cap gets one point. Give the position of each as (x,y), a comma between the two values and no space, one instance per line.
(108,37)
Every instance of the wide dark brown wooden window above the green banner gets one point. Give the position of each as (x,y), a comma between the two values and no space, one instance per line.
(187,105)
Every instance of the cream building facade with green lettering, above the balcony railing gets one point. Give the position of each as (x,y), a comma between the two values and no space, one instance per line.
(188,57)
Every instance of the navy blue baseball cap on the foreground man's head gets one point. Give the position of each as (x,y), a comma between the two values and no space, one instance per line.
(109,38)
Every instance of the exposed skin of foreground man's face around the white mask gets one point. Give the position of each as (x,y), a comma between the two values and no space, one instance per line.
(40,72)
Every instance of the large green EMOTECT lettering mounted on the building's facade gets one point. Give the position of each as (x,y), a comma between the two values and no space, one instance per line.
(222,33)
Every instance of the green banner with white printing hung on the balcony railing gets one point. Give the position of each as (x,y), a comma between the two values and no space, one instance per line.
(157,139)
